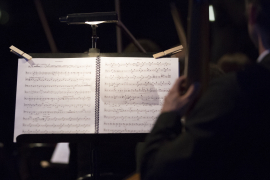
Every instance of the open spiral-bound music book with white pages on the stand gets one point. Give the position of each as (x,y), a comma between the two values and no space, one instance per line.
(91,95)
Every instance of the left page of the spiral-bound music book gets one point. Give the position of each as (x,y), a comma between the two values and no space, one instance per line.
(55,96)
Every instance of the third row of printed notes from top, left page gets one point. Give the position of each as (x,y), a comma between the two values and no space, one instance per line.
(35,79)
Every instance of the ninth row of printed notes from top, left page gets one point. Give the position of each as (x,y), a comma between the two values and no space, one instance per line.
(45,119)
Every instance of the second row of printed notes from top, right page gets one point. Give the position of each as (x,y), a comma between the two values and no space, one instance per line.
(157,70)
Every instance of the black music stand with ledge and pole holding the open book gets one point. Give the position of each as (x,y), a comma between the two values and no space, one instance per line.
(91,138)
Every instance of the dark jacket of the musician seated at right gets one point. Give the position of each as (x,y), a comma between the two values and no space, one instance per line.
(227,134)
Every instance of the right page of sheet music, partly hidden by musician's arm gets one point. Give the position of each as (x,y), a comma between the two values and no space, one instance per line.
(132,91)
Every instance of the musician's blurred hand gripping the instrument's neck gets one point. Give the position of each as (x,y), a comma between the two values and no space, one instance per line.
(177,100)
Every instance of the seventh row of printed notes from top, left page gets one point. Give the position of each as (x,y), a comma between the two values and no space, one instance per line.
(50,105)
